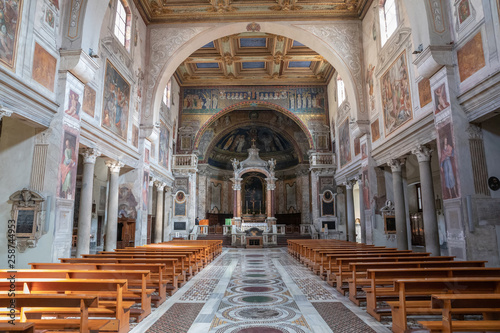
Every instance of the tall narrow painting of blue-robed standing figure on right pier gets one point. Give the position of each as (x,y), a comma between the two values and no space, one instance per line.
(447,161)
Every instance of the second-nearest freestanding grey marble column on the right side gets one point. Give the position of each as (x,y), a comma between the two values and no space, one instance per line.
(399,204)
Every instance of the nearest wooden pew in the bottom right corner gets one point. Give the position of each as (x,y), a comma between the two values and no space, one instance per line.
(464,304)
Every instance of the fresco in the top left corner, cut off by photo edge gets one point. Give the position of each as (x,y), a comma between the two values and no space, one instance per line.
(11,12)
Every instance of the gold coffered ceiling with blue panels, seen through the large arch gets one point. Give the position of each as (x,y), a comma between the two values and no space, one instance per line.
(254,59)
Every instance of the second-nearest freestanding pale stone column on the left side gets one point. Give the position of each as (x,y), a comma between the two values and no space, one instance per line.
(111,225)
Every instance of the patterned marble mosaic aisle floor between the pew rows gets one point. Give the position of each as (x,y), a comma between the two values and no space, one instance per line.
(258,291)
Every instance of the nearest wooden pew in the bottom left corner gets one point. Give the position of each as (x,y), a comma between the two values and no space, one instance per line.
(82,302)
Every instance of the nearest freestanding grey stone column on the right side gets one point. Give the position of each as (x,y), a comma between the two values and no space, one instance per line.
(431,231)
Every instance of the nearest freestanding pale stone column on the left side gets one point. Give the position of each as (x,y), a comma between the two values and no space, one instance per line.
(85,214)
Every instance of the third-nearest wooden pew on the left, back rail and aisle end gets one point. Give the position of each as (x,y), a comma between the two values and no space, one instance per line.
(157,279)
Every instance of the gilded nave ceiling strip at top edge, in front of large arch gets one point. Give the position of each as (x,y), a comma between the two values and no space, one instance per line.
(170,11)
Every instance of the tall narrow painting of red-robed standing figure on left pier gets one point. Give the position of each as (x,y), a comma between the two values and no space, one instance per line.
(67,165)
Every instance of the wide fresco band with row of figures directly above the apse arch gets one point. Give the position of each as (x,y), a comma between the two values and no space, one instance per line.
(300,100)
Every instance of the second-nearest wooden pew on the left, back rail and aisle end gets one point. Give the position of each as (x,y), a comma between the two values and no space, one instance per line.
(137,283)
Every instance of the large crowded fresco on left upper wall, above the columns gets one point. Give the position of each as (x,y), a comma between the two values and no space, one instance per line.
(115,102)
